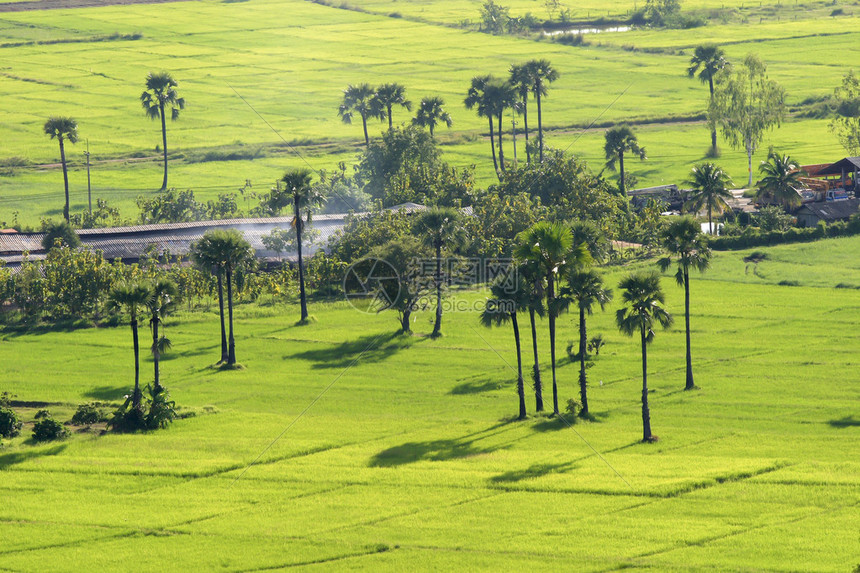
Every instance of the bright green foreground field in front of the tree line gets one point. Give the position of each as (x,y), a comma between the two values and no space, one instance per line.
(409,455)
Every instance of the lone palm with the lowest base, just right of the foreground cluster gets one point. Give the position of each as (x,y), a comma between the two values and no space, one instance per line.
(643,310)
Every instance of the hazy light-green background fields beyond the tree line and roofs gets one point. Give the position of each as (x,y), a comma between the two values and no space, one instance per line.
(292,73)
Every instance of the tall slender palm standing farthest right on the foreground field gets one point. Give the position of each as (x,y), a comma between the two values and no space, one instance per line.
(683,239)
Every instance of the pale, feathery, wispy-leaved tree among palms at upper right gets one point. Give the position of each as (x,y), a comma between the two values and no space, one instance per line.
(747,104)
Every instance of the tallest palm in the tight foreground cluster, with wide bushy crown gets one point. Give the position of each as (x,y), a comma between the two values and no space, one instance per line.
(549,246)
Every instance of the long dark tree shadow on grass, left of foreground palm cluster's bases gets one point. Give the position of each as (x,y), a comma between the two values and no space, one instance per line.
(443,450)
